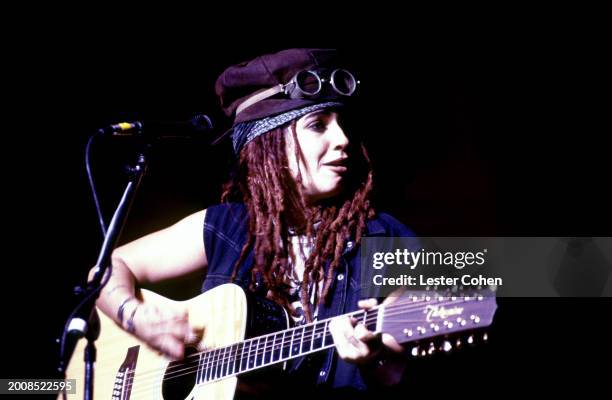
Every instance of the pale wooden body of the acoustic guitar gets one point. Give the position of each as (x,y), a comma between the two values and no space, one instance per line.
(126,368)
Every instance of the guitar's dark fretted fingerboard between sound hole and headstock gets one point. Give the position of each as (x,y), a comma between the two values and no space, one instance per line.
(262,351)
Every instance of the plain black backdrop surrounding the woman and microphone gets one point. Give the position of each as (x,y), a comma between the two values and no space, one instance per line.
(495,129)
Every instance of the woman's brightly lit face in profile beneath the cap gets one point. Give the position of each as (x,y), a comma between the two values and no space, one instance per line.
(323,160)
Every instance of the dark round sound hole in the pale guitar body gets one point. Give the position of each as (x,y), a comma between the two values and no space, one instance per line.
(180,377)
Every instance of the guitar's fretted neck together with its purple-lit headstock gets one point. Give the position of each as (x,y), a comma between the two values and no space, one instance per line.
(410,319)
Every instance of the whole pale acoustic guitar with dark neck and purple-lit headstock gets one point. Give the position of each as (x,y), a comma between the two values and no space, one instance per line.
(243,333)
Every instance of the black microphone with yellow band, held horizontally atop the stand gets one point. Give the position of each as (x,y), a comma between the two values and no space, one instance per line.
(193,128)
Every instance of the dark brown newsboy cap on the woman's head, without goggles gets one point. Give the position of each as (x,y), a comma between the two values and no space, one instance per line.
(239,82)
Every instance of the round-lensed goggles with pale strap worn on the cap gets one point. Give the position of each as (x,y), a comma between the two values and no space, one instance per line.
(308,84)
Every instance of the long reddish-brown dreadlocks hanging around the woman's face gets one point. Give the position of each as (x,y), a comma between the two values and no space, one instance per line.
(275,202)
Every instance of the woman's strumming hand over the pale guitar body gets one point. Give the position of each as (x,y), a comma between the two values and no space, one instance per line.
(165,328)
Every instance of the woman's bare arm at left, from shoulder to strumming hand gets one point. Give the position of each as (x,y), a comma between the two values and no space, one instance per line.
(173,252)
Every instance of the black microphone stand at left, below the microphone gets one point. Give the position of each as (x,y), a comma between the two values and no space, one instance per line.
(84,321)
